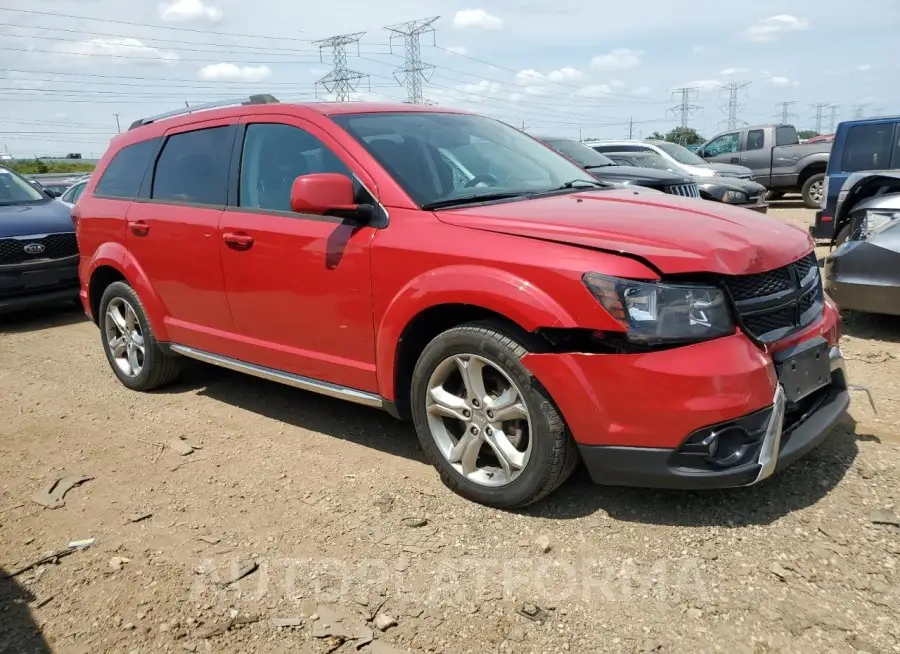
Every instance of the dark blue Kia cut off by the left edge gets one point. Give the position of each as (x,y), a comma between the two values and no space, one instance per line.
(38,249)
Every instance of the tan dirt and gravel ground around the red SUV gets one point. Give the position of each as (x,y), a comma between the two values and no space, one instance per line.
(345,534)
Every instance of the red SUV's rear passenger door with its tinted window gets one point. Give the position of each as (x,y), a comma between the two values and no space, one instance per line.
(173,230)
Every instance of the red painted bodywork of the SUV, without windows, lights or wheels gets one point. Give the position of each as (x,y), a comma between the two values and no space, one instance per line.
(319,298)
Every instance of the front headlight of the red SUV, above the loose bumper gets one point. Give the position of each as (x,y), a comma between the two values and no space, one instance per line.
(654,312)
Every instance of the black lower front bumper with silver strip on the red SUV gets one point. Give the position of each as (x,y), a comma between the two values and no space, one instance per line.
(784,442)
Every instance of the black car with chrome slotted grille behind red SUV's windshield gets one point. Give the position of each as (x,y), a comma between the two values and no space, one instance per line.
(607,170)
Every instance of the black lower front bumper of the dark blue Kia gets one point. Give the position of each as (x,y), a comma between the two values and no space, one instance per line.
(34,284)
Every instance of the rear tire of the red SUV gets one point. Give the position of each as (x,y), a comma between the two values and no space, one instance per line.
(156,367)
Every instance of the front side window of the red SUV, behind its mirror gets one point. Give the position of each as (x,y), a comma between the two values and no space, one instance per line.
(274,155)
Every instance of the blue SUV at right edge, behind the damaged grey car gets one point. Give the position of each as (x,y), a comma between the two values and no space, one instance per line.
(865,144)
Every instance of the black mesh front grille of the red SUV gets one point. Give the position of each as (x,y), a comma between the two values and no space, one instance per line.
(777,303)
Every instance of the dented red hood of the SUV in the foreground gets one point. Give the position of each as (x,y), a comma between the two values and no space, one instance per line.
(675,235)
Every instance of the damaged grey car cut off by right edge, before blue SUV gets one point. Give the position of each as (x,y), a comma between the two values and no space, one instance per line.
(863,273)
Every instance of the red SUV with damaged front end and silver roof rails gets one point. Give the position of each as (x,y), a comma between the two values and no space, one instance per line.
(455,271)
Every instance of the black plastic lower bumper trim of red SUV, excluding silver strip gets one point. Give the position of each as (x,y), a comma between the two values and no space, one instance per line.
(651,467)
